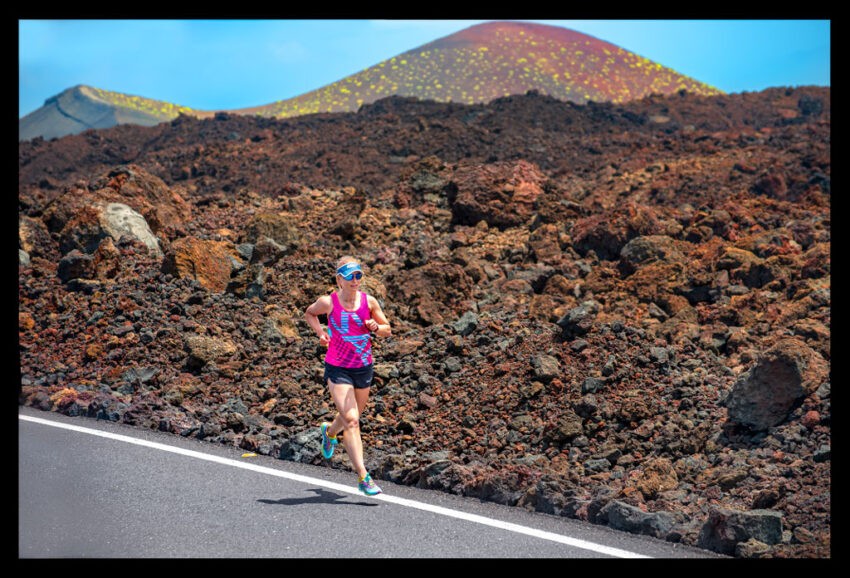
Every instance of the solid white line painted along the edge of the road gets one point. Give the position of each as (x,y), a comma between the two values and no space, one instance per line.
(575,542)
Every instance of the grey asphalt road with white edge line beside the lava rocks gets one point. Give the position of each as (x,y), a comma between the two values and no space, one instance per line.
(146,494)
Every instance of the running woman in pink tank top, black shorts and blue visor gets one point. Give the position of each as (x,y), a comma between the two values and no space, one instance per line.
(353,316)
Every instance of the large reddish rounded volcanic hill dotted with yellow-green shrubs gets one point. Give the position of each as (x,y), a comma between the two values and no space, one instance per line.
(497,59)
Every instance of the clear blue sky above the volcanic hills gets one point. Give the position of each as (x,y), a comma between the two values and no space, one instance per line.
(229,64)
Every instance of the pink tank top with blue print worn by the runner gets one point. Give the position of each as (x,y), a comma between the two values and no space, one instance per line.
(351,341)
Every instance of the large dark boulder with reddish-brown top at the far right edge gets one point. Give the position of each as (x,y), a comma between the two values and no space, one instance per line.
(781,378)
